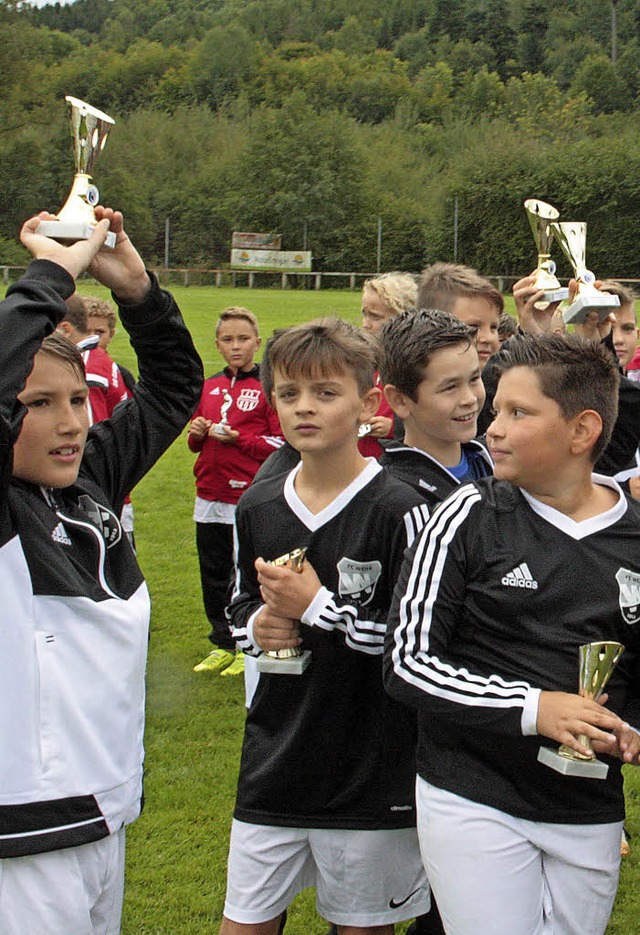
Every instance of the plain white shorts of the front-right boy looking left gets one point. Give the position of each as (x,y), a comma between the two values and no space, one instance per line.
(500,875)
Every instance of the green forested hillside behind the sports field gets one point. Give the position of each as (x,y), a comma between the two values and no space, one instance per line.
(314,118)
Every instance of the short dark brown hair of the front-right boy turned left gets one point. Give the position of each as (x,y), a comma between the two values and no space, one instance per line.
(576,374)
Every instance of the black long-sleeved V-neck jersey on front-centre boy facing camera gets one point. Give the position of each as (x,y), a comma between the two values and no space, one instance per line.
(329,748)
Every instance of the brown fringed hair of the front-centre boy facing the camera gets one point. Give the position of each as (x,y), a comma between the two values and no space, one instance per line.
(326,346)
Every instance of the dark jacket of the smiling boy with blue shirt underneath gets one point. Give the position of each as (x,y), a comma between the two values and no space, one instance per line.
(426,475)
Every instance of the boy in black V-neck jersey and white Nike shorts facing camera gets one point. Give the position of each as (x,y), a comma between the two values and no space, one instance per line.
(325,792)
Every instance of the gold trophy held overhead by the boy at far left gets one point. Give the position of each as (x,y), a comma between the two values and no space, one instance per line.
(77,220)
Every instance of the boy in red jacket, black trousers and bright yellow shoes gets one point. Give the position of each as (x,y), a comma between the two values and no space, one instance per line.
(233,430)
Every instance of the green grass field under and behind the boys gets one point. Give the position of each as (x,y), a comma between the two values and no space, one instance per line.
(177,849)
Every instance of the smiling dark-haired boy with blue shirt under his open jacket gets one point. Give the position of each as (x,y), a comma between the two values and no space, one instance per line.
(432,382)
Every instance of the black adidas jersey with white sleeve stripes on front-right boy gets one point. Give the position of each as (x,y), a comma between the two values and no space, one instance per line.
(491,606)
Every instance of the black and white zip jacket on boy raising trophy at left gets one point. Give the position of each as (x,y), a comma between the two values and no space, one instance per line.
(75,608)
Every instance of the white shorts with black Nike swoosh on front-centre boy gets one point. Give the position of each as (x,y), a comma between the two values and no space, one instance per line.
(362,878)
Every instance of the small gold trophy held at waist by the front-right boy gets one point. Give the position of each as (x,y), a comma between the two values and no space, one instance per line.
(597,661)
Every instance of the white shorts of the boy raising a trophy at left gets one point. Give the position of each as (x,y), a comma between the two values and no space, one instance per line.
(75,891)
